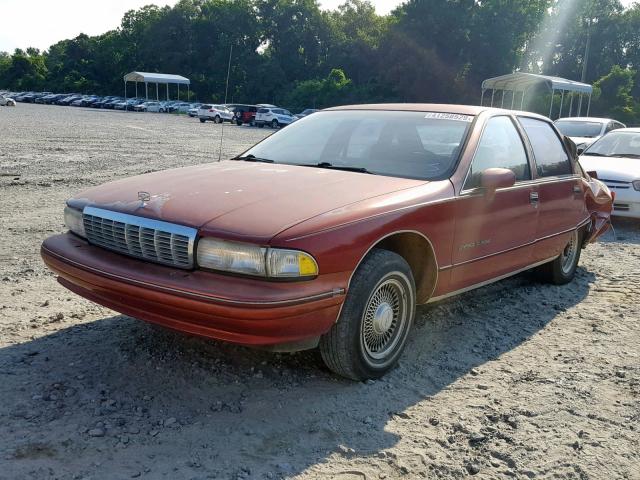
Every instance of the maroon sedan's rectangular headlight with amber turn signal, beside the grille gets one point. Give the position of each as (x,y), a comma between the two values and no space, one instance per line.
(250,259)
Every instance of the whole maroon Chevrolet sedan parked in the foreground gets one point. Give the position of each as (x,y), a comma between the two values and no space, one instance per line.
(331,231)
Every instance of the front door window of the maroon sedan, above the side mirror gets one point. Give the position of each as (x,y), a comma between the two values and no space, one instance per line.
(500,147)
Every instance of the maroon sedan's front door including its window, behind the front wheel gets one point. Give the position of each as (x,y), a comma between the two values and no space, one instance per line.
(494,233)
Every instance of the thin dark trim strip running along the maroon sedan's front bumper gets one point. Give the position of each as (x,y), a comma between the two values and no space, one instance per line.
(198,296)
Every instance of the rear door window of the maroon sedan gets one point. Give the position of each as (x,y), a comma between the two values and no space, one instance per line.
(551,158)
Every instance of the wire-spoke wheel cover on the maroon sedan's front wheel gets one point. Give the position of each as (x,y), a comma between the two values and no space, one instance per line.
(384,319)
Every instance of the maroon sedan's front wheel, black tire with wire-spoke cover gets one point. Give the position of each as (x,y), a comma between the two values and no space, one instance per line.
(371,333)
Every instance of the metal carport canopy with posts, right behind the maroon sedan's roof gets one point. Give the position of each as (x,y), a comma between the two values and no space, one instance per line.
(520,82)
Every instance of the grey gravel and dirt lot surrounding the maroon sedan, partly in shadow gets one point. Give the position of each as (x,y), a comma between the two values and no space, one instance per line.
(516,380)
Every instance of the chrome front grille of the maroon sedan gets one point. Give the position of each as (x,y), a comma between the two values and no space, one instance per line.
(140,237)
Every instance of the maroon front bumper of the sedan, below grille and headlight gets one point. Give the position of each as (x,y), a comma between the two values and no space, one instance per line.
(234,309)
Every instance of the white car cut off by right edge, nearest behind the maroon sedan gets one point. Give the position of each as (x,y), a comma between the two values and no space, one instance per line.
(616,160)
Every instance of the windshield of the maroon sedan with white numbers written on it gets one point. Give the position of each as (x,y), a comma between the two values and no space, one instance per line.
(420,145)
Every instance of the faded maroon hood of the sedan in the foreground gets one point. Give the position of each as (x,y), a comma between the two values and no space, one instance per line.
(240,200)
